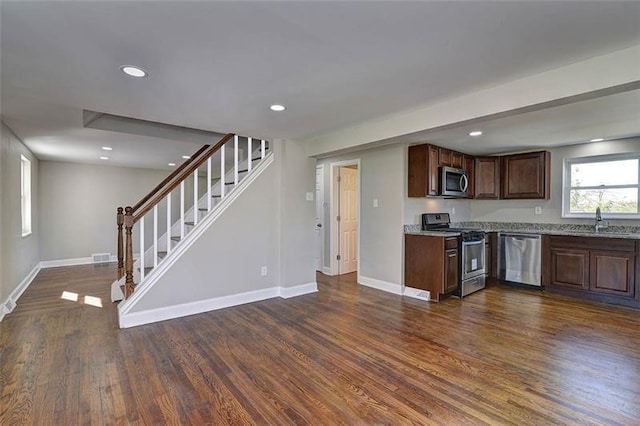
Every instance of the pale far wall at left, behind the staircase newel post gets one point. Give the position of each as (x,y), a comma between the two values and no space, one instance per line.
(78,206)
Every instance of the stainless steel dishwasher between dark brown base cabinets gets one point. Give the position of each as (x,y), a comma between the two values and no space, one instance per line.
(519,258)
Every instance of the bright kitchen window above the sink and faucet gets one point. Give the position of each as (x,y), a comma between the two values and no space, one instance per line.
(611,182)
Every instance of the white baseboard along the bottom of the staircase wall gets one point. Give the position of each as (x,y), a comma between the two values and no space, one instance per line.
(132,319)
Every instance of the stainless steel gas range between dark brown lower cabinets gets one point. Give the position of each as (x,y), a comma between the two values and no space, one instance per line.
(470,249)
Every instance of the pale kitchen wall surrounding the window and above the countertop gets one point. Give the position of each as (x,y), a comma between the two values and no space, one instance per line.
(523,211)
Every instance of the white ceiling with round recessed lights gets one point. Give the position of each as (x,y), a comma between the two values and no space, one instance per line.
(217,66)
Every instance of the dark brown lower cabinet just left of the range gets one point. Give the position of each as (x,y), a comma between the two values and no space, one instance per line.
(431,263)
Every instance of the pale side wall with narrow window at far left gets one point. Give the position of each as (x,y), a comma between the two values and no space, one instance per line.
(18,255)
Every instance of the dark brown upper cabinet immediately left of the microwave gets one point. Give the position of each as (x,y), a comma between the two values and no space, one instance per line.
(423,170)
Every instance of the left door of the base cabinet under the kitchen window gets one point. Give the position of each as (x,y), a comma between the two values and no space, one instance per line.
(569,268)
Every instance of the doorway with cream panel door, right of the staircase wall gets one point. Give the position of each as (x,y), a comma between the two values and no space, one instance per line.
(345,216)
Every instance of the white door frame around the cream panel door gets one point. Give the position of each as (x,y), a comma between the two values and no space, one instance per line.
(334,236)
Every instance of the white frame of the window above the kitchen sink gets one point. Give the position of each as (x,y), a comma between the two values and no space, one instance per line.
(566,184)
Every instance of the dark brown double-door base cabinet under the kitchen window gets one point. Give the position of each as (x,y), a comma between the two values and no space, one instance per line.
(602,269)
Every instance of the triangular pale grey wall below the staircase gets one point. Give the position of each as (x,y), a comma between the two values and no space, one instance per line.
(227,258)
